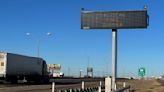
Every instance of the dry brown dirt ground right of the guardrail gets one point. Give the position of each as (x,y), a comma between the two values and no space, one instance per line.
(145,86)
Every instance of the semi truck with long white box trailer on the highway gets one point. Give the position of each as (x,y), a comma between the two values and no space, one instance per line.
(15,67)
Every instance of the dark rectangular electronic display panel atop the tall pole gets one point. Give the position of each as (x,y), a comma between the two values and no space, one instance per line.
(114,19)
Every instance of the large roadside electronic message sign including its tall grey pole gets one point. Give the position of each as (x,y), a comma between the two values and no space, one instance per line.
(114,20)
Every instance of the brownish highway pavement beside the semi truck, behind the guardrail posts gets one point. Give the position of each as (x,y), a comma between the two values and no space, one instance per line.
(61,84)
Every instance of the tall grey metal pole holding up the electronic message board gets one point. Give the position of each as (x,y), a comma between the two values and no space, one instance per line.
(114,59)
